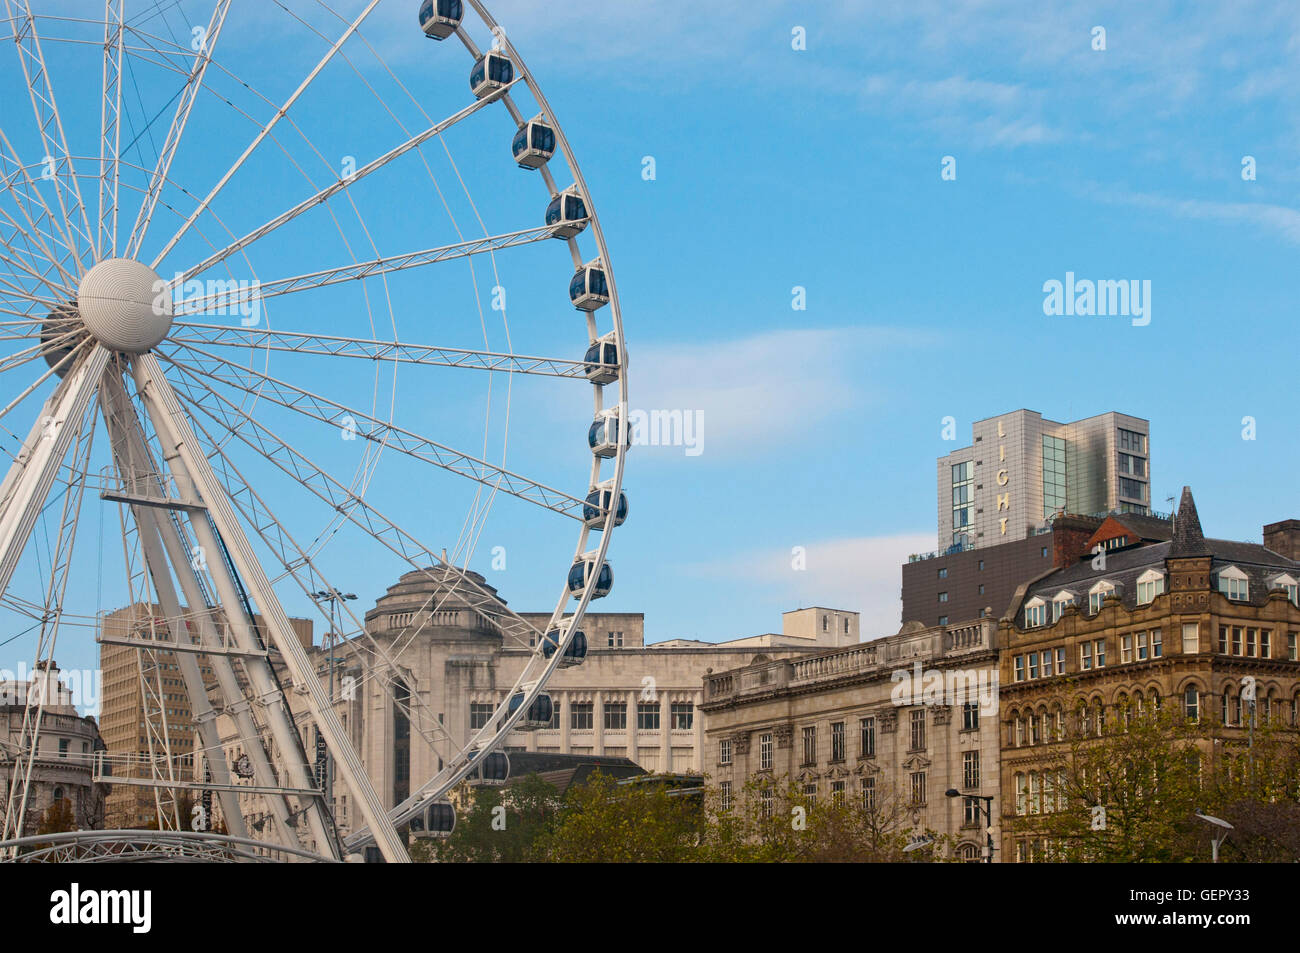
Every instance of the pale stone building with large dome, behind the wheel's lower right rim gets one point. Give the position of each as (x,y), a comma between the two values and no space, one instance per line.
(627,700)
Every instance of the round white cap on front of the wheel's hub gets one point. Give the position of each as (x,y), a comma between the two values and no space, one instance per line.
(125,306)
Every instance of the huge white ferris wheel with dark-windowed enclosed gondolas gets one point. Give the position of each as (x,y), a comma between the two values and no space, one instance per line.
(263,326)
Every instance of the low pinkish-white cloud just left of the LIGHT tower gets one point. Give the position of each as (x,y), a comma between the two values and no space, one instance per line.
(859,574)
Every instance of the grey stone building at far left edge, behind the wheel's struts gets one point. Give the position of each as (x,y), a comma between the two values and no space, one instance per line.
(66,759)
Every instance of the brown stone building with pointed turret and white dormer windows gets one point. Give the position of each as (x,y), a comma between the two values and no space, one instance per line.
(1145,625)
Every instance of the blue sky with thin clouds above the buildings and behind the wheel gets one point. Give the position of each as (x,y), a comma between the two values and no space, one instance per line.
(777,168)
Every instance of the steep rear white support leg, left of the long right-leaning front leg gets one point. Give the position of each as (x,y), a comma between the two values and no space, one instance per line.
(131,452)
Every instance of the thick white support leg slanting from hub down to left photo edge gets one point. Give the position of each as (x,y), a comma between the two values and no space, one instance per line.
(33,473)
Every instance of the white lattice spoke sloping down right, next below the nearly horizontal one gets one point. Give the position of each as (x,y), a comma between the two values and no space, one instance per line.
(391,436)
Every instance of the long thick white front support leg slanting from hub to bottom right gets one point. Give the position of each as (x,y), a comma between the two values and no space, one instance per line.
(175,428)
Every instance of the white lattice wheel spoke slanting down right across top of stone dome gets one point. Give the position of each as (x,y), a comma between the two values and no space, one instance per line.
(233,419)
